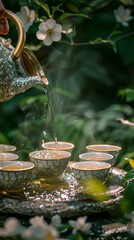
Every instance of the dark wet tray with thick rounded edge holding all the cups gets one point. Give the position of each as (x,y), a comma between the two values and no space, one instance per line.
(63,196)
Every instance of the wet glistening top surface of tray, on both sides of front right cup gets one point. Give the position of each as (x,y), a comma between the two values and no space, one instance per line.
(64,189)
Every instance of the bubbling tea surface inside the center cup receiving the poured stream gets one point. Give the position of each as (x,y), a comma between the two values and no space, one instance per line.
(49,155)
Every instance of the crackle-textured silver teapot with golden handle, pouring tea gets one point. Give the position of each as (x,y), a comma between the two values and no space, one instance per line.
(19,67)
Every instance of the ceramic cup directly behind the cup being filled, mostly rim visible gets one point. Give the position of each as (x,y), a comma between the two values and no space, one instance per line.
(60,146)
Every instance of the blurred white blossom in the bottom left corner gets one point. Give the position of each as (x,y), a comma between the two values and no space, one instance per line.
(12,227)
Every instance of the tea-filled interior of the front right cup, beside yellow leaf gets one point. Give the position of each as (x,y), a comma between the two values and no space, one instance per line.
(90,166)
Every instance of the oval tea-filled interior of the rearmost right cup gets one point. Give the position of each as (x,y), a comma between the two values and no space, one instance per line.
(103,148)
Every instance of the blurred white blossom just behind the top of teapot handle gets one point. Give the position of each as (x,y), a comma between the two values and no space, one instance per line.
(27,16)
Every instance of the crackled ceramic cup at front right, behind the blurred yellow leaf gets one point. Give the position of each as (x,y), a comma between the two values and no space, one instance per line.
(91,170)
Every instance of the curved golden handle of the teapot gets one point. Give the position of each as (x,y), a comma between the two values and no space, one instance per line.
(21,34)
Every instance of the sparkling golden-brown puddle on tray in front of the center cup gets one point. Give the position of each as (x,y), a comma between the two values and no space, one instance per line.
(57,190)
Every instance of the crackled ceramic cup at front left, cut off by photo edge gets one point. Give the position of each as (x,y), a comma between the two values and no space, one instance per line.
(14,175)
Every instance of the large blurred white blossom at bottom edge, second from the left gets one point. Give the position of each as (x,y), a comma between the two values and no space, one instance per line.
(40,230)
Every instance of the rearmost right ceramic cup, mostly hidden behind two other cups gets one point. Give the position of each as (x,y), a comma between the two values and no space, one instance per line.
(105,148)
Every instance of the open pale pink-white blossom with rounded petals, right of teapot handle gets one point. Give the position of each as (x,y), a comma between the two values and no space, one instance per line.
(49,32)
